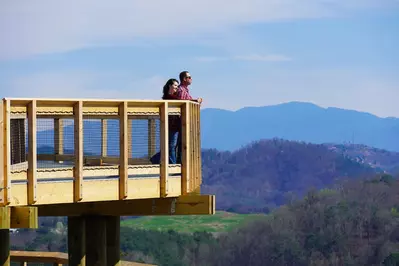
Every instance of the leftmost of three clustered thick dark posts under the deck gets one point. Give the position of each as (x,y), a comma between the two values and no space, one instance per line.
(77,240)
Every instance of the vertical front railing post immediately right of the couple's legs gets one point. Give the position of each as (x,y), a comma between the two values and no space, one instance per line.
(185,170)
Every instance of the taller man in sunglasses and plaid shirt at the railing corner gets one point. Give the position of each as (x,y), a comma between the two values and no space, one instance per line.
(183,93)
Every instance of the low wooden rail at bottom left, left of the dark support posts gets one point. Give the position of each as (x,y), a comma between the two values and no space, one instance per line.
(39,257)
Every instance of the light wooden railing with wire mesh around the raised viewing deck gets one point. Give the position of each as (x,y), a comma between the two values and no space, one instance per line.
(46,148)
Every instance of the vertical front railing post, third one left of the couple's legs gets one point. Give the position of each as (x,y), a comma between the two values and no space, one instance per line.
(78,146)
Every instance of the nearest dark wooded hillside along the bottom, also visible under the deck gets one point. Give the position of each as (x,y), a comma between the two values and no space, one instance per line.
(356,223)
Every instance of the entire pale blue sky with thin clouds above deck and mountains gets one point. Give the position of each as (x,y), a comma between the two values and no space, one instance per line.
(240,53)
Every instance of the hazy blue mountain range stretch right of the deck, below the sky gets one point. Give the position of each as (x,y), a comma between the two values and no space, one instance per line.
(230,130)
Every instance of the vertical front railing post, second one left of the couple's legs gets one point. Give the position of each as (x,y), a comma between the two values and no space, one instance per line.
(123,158)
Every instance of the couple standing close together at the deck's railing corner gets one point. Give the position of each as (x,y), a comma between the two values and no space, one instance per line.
(175,91)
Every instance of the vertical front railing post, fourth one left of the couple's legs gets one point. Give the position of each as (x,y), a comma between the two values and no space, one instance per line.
(32,155)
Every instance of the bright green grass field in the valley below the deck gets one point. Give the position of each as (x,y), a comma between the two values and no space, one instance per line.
(220,222)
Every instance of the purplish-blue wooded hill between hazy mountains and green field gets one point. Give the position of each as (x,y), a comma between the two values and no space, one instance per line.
(266,173)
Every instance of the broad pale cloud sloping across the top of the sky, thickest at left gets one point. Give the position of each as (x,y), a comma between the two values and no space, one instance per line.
(39,27)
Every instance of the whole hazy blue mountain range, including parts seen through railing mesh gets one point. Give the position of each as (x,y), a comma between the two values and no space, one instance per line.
(230,130)
